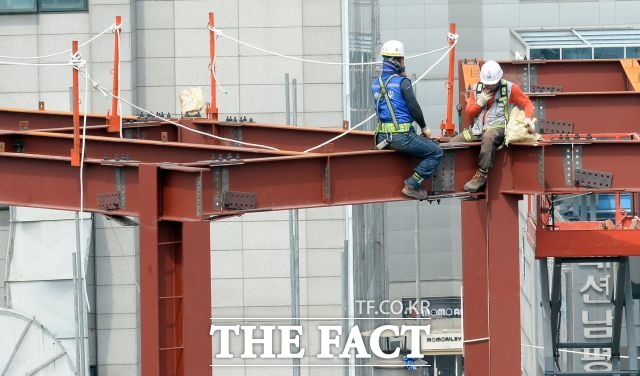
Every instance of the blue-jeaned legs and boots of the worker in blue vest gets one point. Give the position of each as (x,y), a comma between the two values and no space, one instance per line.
(430,154)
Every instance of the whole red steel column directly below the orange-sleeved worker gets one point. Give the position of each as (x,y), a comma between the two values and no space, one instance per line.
(491,281)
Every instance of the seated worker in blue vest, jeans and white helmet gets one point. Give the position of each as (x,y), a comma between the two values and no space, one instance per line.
(397,108)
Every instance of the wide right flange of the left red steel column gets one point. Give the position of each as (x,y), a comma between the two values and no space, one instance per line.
(196,297)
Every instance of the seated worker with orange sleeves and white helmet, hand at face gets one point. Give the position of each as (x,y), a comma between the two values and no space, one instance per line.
(488,107)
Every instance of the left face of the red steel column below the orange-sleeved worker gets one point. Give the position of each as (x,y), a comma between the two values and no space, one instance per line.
(475,288)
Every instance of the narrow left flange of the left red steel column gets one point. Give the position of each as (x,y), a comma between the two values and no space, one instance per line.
(149,304)
